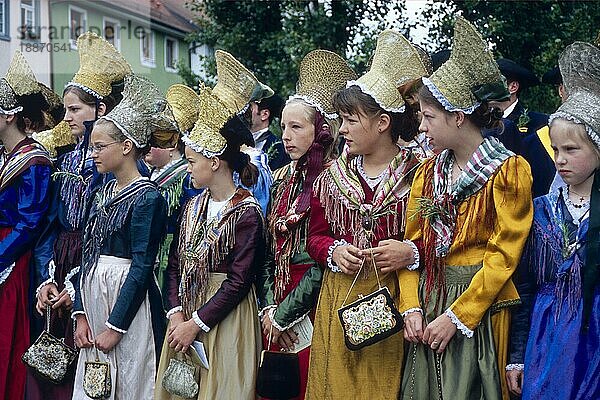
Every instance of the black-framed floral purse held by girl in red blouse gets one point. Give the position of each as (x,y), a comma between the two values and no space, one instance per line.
(371,318)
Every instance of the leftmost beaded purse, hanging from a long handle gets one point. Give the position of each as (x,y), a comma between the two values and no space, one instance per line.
(49,357)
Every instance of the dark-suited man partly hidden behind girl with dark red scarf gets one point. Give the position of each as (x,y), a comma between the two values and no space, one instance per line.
(263,113)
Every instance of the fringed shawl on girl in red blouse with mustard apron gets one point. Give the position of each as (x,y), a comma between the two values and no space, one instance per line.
(342,196)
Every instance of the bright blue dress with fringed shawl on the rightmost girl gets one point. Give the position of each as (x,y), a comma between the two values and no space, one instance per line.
(561,361)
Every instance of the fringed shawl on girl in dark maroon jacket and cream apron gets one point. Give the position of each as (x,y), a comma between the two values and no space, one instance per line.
(204,245)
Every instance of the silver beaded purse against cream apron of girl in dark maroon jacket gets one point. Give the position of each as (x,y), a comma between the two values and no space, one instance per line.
(181,378)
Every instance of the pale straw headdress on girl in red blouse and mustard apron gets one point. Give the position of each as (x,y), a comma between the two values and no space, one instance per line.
(396,62)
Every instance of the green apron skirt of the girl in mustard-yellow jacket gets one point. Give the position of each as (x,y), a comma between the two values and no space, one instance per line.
(468,368)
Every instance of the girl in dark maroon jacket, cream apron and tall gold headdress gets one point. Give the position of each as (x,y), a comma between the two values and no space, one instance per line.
(221,244)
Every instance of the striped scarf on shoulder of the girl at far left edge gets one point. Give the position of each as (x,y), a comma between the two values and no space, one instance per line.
(25,154)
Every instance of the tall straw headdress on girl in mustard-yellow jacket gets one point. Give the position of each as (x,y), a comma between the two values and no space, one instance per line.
(470,76)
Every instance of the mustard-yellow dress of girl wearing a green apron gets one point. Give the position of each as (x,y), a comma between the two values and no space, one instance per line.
(492,227)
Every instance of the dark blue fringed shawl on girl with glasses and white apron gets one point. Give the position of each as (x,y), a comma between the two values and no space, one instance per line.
(108,214)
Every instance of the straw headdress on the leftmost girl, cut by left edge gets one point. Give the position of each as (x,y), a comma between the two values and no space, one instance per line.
(19,81)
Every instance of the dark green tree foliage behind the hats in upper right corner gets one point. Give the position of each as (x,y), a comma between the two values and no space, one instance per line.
(532,33)
